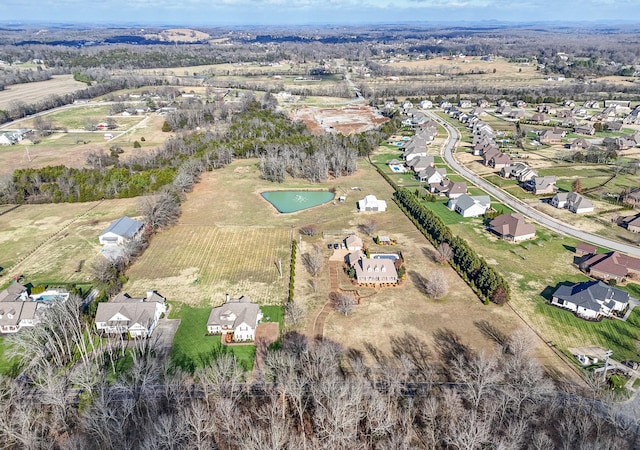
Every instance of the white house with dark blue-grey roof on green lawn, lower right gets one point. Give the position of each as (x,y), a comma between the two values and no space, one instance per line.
(591,299)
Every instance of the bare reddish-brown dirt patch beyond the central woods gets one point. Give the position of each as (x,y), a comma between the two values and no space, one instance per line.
(345,120)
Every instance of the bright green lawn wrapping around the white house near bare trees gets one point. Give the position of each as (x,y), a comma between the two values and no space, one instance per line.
(193,348)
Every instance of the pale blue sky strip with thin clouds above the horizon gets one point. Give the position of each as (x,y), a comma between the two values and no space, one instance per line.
(312,12)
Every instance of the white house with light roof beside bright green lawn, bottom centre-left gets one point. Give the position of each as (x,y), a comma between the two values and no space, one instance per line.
(236,319)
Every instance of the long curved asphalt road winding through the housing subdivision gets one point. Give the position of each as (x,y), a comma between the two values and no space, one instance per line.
(517,205)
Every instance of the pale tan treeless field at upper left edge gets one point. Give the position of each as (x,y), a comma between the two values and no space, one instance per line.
(39,90)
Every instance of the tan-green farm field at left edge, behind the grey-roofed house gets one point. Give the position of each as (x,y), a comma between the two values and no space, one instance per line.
(46,243)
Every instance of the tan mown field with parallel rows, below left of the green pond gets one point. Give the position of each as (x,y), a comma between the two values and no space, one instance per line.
(198,265)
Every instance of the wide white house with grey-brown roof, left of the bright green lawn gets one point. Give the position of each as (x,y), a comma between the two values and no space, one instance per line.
(137,317)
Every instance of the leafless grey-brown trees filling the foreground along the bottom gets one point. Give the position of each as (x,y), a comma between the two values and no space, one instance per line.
(304,395)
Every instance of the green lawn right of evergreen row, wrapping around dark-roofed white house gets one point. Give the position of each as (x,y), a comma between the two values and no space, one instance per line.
(539,266)
